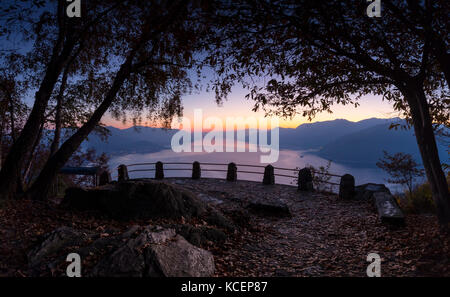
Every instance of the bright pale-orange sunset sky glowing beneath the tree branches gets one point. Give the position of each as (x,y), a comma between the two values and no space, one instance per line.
(237,105)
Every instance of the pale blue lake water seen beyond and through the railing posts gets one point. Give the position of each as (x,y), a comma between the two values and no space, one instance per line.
(287,159)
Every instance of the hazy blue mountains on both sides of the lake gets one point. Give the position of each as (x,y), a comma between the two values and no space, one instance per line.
(356,144)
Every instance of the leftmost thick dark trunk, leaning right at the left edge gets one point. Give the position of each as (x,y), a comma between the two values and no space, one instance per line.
(11,170)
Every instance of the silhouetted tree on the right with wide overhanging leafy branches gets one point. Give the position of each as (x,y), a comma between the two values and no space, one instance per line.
(318,53)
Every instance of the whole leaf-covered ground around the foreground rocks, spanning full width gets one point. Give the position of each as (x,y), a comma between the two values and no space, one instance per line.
(278,232)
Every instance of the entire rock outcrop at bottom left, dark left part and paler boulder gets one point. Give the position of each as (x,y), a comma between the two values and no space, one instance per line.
(139,252)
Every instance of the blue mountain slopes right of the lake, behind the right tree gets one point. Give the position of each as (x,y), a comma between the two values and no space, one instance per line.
(356,144)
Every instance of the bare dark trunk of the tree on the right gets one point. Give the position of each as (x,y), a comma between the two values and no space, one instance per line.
(426,141)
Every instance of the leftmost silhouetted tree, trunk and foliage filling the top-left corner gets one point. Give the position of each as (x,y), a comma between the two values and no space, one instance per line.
(55,37)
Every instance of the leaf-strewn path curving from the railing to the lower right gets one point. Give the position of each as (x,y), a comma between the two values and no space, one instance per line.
(325,236)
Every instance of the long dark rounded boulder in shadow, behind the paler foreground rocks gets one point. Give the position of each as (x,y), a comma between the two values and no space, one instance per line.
(136,199)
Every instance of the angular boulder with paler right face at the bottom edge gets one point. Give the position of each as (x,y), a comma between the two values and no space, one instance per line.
(156,252)
